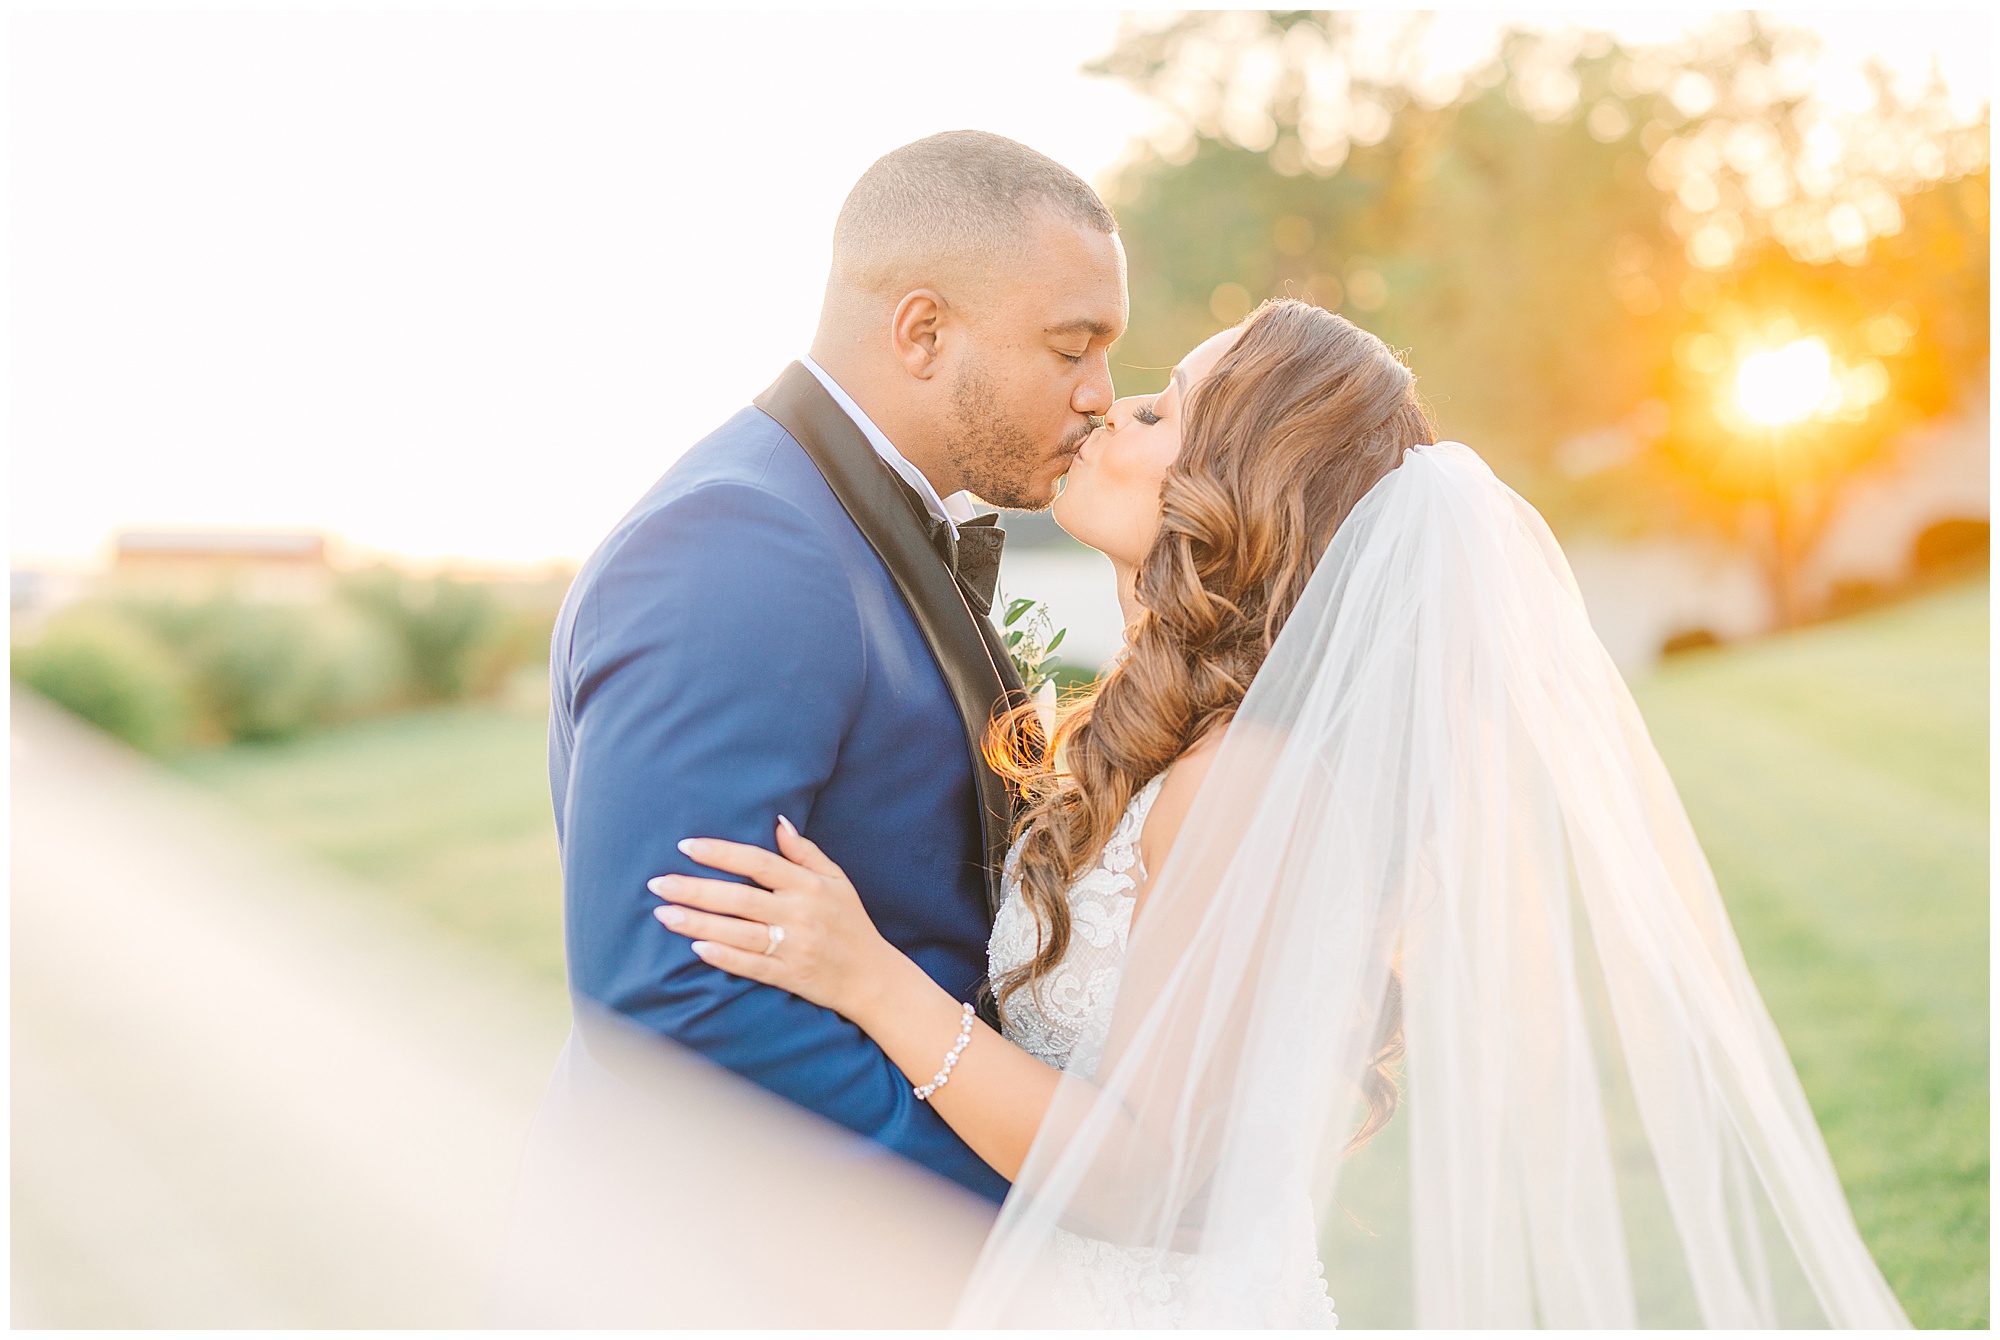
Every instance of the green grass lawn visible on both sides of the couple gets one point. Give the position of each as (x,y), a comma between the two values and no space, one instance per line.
(1837,779)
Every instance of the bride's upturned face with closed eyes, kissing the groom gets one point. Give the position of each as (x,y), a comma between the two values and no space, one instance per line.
(1111,497)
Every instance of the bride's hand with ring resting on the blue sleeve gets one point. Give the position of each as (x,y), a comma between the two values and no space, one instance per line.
(799,925)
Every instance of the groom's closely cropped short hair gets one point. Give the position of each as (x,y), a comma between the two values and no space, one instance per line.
(953,203)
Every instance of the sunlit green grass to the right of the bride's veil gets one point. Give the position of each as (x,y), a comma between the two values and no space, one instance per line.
(1839,783)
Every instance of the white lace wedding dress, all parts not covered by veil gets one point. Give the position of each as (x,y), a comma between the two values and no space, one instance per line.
(1123,1287)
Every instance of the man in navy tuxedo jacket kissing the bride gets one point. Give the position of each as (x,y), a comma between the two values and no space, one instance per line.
(795,621)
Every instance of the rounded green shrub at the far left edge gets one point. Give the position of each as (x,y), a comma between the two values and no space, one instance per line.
(111,673)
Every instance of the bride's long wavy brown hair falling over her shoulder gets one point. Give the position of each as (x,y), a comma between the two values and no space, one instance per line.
(1279,443)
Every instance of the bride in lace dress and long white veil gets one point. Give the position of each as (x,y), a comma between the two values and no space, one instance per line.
(1353,901)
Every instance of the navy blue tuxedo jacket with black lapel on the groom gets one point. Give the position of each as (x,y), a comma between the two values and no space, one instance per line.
(767,633)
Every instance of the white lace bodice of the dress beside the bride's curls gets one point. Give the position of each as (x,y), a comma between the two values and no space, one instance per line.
(1049,1015)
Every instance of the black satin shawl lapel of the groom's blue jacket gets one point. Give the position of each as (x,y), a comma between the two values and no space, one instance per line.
(967,647)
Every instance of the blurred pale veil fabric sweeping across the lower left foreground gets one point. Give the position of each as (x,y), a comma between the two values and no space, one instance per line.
(251,1097)
